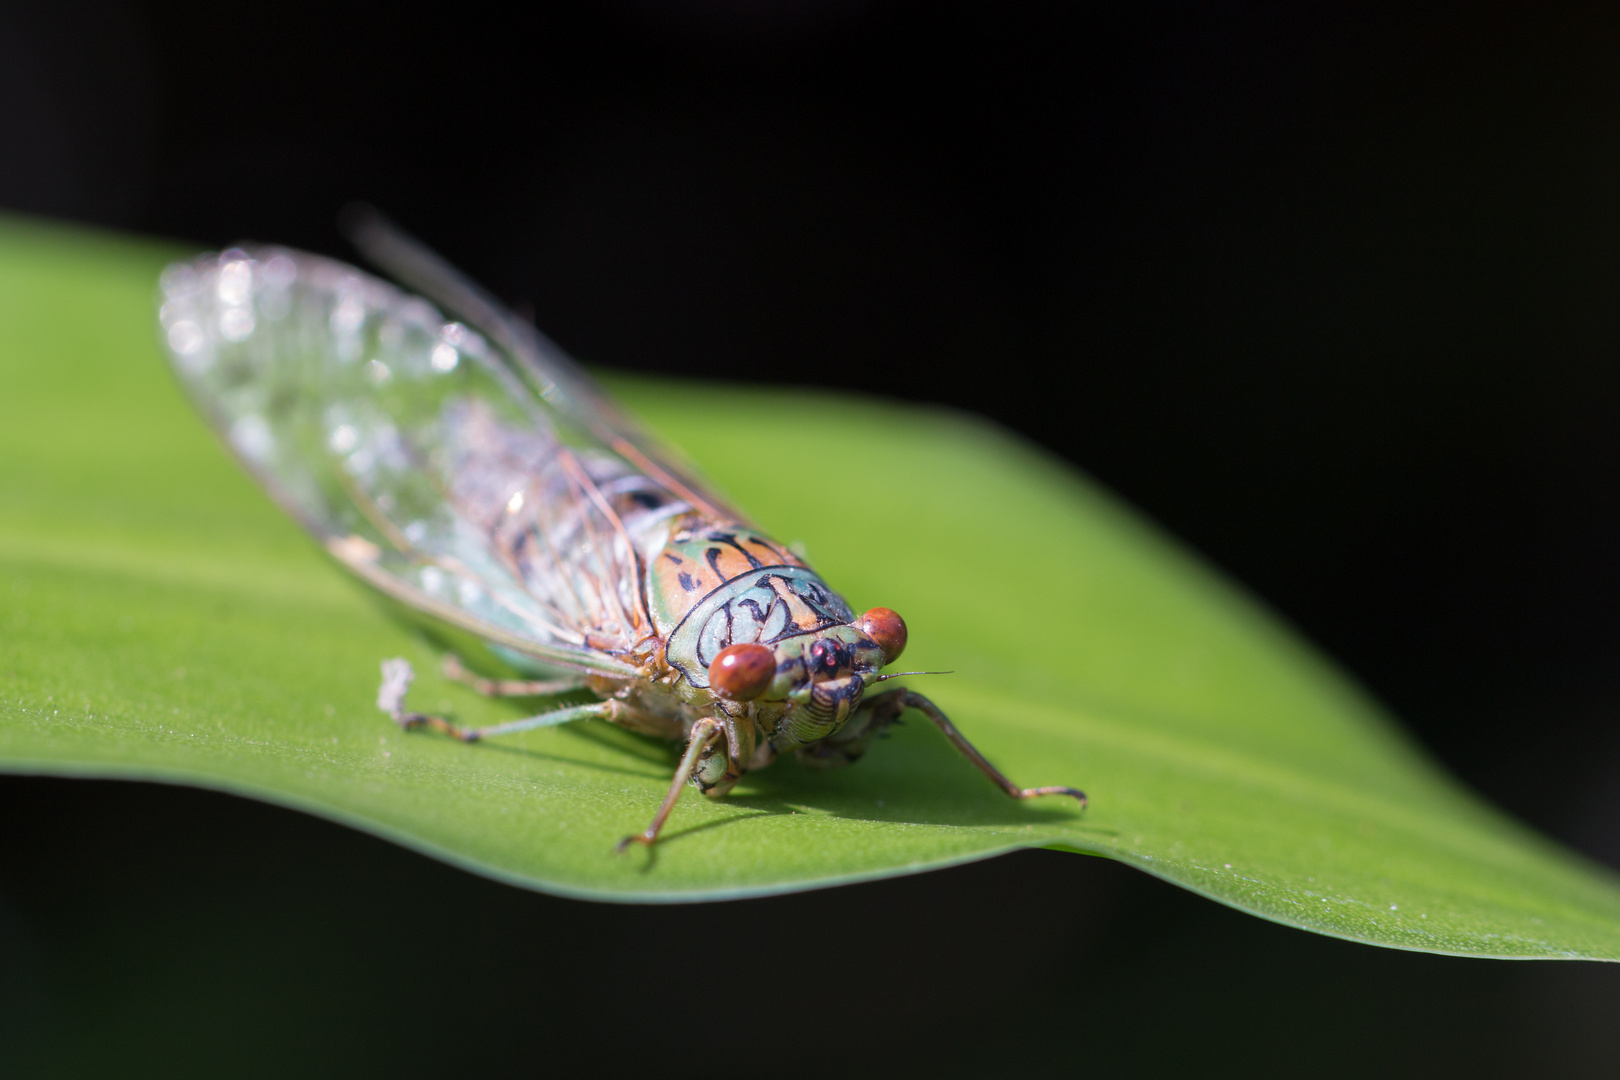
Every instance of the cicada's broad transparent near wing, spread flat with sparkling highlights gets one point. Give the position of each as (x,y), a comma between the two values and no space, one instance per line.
(424,457)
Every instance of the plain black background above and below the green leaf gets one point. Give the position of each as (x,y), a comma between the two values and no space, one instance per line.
(1332,294)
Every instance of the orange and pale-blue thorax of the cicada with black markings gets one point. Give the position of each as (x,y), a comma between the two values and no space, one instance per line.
(720,584)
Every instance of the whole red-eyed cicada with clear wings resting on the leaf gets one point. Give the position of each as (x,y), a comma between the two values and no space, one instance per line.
(458,461)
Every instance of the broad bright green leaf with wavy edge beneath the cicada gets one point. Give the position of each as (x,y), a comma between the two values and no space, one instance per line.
(160,619)
